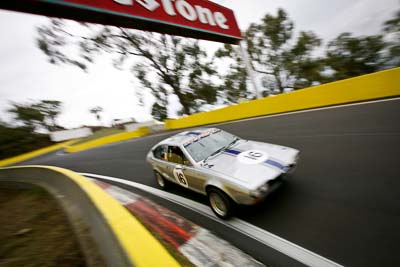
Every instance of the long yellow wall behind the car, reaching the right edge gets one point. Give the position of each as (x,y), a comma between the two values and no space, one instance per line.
(372,86)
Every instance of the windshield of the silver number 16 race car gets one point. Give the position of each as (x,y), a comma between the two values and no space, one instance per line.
(208,145)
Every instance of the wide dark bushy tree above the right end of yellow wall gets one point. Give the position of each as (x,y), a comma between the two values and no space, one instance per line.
(351,56)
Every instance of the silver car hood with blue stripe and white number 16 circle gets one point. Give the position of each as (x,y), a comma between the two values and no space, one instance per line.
(252,162)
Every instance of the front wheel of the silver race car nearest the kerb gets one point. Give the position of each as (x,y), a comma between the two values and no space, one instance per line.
(221,204)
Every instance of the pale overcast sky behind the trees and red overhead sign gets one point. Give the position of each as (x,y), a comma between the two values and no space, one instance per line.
(25,73)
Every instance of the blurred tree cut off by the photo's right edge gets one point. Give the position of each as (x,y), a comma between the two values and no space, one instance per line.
(392,32)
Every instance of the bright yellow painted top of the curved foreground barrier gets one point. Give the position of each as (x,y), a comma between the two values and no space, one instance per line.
(141,247)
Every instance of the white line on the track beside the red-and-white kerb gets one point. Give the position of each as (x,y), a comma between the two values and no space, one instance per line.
(286,247)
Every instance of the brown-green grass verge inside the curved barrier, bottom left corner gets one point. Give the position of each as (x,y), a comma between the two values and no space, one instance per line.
(35,231)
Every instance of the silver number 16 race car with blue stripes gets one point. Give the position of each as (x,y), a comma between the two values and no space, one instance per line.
(226,168)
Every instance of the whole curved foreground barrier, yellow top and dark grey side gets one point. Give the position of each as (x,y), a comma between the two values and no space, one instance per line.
(121,239)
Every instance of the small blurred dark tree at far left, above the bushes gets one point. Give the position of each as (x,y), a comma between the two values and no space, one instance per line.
(28,115)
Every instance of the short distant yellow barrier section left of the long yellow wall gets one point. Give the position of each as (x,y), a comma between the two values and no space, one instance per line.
(108,140)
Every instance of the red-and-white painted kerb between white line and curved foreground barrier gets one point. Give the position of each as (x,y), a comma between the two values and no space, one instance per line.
(198,245)
